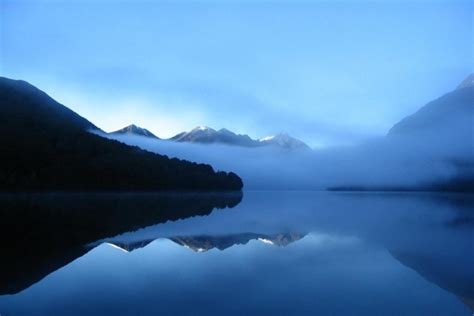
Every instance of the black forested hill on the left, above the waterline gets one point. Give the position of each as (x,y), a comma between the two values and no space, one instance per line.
(46,146)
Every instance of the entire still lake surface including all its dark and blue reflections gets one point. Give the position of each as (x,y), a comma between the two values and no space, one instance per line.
(266,253)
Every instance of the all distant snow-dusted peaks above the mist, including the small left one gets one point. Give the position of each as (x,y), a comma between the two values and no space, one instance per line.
(207,135)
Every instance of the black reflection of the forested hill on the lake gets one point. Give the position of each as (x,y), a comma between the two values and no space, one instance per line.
(55,227)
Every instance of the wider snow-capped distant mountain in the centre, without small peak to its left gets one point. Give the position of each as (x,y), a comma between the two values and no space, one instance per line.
(207,135)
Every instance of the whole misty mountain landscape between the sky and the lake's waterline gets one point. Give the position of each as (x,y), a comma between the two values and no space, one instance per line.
(47,146)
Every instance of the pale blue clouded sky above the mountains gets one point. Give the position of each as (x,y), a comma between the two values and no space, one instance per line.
(328,72)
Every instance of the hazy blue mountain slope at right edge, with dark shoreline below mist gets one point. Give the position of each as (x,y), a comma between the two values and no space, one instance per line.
(440,132)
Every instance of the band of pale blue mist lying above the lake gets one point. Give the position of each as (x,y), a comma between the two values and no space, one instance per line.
(386,162)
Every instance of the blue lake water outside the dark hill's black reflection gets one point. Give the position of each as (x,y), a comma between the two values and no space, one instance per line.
(277,253)
